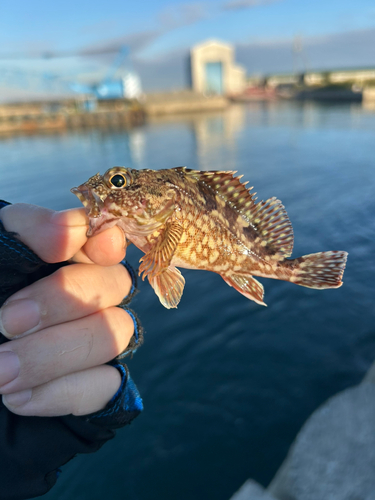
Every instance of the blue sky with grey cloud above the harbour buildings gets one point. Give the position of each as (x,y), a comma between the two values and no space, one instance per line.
(160,33)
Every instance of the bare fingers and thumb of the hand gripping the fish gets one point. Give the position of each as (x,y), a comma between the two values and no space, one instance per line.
(64,327)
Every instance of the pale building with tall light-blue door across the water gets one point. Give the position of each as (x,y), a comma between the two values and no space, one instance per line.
(213,69)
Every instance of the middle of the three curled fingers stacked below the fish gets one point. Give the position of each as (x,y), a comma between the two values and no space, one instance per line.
(59,350)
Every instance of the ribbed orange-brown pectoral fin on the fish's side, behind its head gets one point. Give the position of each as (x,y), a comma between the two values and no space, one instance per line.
(159,257)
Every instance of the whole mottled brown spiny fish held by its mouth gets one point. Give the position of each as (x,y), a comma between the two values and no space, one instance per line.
(206,220)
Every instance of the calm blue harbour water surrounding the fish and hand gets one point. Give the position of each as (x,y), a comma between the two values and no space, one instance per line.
(226,383)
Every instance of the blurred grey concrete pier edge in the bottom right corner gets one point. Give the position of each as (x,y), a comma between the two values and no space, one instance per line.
(333,455)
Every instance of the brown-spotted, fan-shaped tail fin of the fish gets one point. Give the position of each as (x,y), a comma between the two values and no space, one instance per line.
(319,270)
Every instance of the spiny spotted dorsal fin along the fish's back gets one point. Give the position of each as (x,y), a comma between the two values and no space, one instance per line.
(268,218)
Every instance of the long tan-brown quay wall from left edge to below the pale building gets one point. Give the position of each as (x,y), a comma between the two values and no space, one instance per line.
(57,116)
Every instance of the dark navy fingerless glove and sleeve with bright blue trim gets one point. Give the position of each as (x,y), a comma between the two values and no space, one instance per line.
(32,449)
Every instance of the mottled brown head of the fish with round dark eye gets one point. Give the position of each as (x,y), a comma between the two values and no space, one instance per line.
(132,199)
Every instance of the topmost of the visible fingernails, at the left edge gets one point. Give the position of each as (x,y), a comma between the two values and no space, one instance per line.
(19,316)
